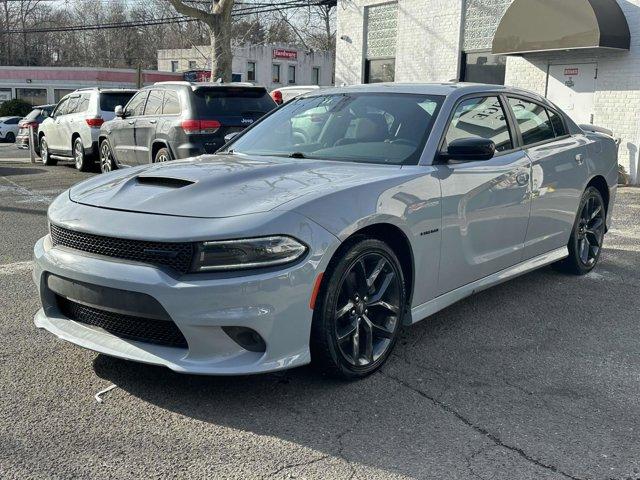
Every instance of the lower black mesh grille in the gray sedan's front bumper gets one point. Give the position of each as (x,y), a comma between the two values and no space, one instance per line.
(159,332)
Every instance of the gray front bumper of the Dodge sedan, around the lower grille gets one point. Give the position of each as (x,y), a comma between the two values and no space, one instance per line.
(275,304)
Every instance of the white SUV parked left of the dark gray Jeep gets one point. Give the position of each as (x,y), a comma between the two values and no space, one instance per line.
(72,130)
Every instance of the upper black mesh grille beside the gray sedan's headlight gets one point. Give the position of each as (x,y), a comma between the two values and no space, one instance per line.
(177,256)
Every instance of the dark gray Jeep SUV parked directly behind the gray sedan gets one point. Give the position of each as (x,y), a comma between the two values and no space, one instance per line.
(178,120)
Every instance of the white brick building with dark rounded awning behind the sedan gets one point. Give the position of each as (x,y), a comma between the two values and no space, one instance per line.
(443,40)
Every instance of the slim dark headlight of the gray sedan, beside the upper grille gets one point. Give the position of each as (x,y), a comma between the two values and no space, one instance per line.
(247,253)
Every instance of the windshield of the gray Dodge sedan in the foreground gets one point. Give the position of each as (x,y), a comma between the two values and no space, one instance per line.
(359,127)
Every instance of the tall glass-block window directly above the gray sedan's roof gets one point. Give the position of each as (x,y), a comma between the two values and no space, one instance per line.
(382,32)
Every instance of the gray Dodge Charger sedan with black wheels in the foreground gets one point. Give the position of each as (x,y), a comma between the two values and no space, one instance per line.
(322,230)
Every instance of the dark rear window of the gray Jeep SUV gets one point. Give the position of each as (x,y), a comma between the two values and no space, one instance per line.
(232,101)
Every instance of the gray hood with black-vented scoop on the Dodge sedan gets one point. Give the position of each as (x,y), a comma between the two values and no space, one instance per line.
(215,186)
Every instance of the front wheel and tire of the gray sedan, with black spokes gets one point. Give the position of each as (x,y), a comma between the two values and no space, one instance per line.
(356,321)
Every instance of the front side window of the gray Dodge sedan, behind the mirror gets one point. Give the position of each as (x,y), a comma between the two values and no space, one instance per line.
(481,117)
